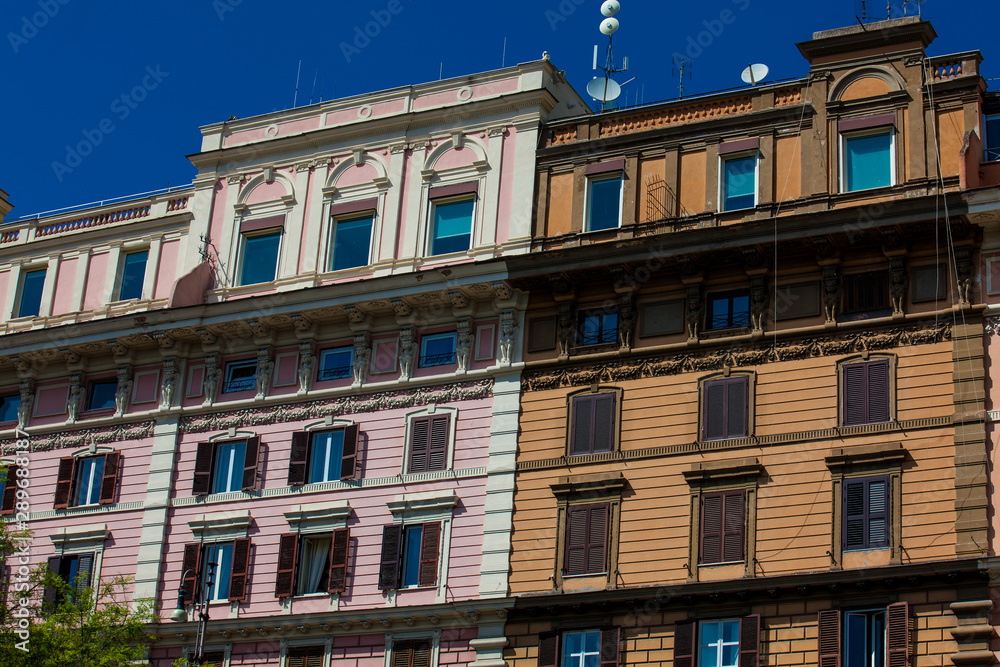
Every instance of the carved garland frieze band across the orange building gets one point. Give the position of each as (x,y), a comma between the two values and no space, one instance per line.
(748,355)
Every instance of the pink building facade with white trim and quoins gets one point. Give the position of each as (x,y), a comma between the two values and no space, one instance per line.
(293,386)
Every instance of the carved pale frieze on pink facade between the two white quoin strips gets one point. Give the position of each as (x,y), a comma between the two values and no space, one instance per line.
(389,400)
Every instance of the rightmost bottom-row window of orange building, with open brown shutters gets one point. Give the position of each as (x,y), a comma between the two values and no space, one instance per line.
(878,637)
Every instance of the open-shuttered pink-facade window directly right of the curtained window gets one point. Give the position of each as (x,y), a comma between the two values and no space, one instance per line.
(409,555)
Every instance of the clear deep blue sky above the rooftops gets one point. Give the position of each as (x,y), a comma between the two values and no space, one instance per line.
(133,81)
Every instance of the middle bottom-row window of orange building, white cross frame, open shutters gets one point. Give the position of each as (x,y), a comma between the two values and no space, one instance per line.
(717,643)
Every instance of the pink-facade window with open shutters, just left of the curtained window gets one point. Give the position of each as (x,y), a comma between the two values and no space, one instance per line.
(218,568)
